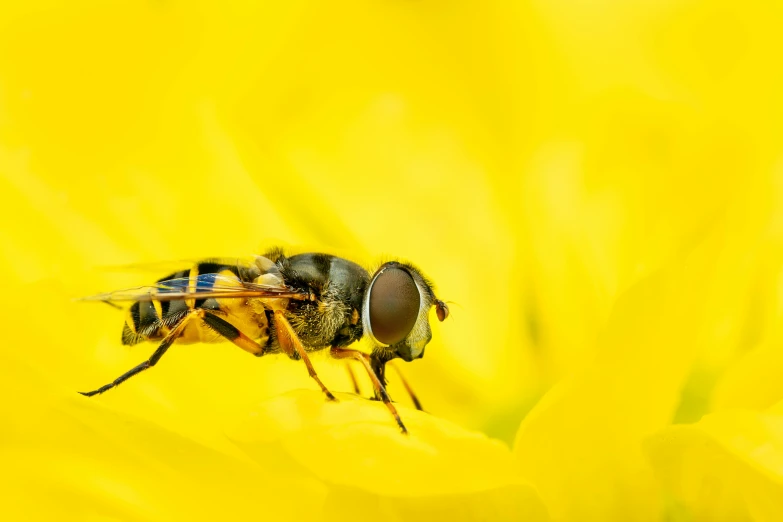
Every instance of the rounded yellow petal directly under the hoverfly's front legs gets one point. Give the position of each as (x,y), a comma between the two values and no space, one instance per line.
(355,447)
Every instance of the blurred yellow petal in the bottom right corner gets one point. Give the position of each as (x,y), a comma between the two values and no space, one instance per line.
(728,466)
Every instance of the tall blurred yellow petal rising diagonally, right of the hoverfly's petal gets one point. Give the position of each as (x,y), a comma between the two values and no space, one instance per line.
(581,445)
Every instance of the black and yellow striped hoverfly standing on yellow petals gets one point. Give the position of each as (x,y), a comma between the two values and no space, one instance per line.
(294,305)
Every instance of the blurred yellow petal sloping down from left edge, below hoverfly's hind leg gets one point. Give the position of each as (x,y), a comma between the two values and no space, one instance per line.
(69,458)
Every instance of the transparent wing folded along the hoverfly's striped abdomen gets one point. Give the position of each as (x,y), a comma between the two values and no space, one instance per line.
(202,287)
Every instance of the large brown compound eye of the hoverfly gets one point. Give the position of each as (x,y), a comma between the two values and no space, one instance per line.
(394,305)
